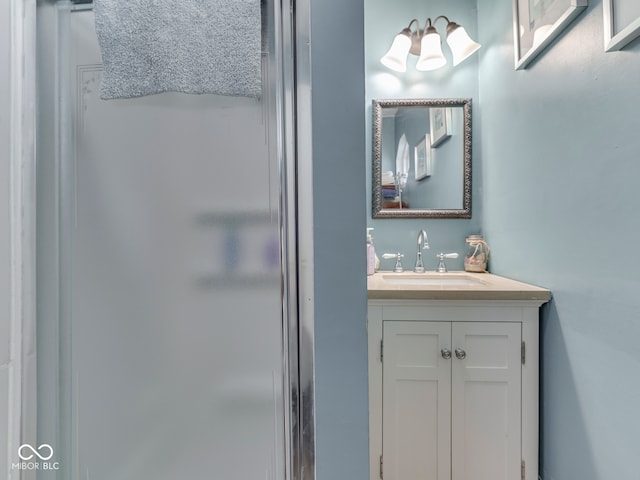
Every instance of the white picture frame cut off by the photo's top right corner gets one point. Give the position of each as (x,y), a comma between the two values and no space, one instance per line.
(621,23)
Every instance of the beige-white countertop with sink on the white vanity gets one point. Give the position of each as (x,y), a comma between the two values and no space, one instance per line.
(450,286)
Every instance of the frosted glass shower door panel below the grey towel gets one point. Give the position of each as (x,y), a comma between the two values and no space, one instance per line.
(176,321)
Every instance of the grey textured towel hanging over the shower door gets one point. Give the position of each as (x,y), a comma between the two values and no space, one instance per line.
(190,46)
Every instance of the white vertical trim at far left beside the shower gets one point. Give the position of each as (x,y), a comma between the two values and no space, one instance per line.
(22,212)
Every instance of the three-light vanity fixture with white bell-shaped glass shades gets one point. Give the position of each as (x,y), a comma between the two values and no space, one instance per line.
(428,46)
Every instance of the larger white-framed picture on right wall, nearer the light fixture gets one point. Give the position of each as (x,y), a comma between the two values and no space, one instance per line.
(537,23)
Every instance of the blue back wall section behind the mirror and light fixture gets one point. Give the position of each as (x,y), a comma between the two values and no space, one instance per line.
(383,20)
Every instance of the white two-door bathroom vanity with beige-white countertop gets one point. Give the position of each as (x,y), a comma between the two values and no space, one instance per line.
(453,376)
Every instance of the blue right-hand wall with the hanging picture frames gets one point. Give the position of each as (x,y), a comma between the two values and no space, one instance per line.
(561,162)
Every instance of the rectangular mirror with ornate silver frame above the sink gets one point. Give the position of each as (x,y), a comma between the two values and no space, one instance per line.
(422,158)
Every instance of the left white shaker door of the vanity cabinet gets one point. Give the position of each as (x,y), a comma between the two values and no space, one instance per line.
(416,401)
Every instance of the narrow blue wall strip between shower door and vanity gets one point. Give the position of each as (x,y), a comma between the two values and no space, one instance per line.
(337,53)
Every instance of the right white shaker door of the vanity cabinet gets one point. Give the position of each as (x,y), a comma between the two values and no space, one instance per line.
(486,401)
